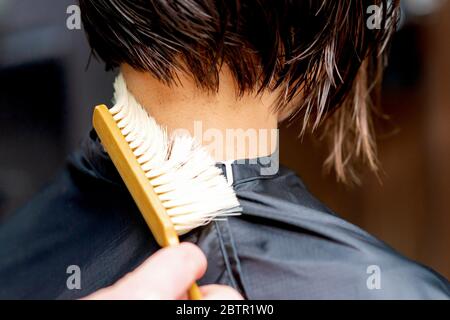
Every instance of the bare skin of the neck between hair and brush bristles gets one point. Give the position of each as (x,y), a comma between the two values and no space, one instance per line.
(230,127)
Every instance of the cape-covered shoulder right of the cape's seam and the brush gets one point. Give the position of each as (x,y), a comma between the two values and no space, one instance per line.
(291,246)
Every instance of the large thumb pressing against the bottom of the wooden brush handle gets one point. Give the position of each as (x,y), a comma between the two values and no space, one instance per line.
(166,275)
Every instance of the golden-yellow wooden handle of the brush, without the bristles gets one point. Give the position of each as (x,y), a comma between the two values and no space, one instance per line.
(137,183)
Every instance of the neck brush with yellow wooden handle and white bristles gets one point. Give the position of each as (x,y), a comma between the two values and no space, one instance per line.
(173,180)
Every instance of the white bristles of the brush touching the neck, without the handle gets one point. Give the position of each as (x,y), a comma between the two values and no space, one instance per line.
(183,174)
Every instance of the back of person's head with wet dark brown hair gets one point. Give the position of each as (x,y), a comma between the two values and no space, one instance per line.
(321,57)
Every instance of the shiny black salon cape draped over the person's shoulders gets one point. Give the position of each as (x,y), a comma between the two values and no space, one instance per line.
(286,244)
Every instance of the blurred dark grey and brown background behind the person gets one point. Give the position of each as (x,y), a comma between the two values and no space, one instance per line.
(49,84)
